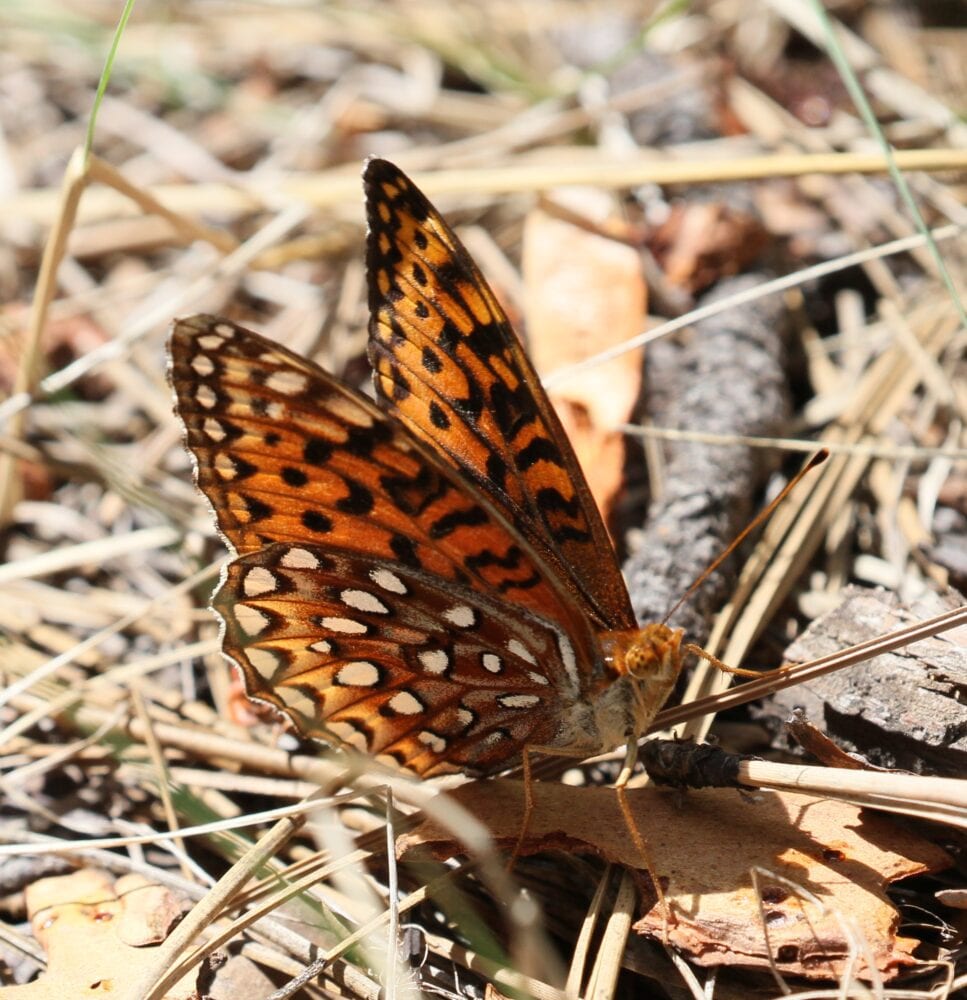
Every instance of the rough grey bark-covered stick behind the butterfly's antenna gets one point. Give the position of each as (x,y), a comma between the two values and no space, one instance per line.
(728,378)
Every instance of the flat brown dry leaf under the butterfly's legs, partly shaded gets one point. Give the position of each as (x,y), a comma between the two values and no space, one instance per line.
(704,851)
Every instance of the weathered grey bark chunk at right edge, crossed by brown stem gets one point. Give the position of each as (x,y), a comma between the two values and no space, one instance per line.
(900,710)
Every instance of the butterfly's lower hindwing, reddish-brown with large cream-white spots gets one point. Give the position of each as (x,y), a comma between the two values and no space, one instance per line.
(394,661)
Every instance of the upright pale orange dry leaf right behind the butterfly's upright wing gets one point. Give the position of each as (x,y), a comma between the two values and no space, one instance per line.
(585,293)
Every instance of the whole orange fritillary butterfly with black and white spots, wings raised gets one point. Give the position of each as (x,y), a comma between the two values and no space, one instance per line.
(427,580)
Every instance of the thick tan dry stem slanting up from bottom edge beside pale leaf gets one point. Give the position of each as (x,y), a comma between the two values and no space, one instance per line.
(165,971)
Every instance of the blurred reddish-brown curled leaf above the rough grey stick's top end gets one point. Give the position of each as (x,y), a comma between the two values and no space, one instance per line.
(700,243)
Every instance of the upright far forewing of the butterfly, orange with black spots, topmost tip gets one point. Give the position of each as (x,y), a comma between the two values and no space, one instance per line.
(447,362)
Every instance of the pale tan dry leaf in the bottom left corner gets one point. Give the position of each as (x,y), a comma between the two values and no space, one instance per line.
(91,928)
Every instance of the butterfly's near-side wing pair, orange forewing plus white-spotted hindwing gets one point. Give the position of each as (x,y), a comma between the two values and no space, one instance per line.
(378,598)
